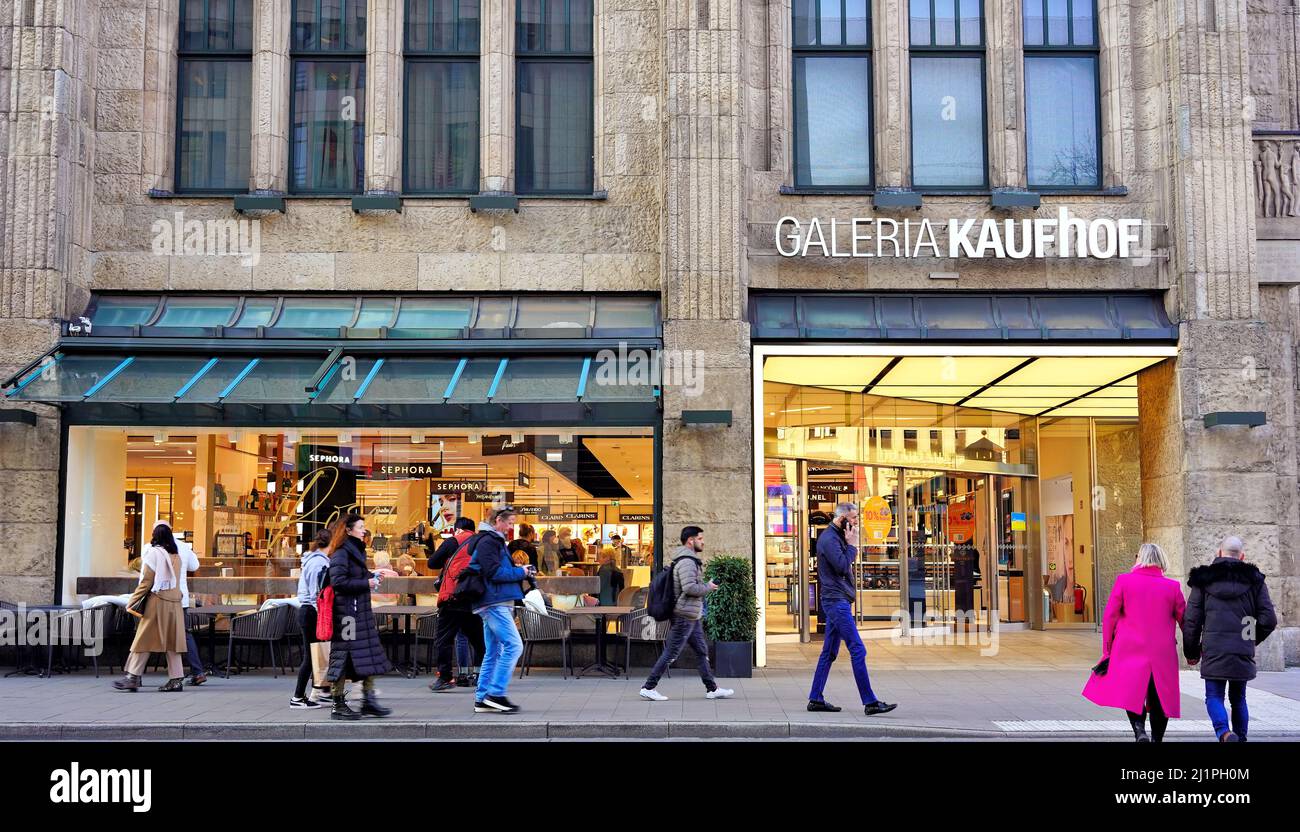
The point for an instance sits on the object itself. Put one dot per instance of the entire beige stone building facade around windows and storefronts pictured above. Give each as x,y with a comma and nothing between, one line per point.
694,167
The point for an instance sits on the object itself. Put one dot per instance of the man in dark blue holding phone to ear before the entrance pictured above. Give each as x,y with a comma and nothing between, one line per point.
835,560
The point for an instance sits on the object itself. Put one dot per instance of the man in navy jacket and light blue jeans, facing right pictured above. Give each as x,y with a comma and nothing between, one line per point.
502,645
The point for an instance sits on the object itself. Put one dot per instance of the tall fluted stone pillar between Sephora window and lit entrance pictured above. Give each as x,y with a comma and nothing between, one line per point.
708,473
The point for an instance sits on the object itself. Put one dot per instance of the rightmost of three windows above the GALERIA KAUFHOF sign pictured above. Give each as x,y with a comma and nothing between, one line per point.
1061,103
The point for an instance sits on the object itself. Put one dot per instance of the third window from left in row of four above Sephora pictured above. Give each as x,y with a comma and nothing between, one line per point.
441,97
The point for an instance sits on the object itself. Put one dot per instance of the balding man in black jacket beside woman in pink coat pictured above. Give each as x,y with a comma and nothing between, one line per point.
1229,613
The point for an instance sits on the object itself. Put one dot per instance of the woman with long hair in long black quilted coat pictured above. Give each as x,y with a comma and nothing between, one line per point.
356,651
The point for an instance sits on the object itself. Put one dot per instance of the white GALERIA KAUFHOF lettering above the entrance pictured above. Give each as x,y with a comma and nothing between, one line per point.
1013,240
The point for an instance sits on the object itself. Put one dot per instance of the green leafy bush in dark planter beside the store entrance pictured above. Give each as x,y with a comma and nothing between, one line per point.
731,616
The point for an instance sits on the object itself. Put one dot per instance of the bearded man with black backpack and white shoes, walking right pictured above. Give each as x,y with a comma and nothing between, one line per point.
679,597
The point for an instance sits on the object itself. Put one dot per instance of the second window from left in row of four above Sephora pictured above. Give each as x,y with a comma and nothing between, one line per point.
328,125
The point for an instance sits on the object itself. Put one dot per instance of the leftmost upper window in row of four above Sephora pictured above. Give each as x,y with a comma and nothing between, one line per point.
215,97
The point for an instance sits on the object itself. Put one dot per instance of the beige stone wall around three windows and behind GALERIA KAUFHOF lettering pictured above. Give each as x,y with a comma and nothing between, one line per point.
1129,162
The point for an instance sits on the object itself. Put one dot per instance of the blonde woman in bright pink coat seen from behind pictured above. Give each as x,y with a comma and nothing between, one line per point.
1138,638
